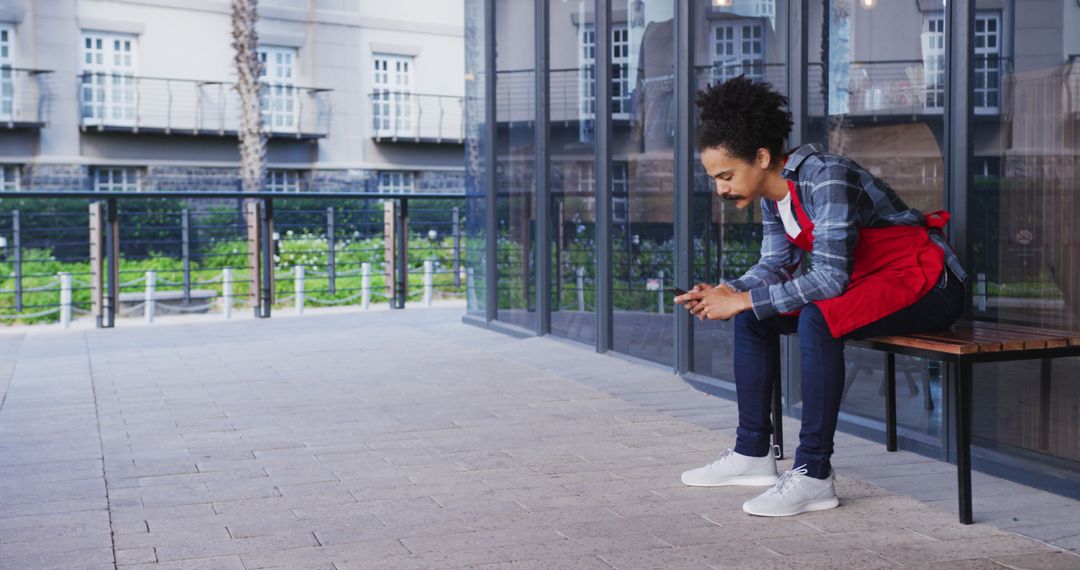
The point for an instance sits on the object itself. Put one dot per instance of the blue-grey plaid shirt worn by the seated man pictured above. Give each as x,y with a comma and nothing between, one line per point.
840,197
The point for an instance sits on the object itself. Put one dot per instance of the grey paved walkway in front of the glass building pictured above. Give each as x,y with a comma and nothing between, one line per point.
410,441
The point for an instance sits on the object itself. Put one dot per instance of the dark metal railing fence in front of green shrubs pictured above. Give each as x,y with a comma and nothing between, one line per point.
153,256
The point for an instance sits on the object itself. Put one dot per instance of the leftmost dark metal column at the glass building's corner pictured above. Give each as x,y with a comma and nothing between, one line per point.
491,132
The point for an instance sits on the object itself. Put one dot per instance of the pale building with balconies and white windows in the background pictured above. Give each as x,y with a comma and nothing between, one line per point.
139,96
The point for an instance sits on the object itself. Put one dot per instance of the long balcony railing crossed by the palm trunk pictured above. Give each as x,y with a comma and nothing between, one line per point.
120,103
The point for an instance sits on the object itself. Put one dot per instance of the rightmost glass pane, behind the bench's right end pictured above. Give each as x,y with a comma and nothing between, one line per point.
1025,262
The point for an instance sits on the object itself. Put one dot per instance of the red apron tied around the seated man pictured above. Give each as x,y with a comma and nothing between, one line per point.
895,267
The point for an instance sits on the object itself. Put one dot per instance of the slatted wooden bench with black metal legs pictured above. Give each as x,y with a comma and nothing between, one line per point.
966,345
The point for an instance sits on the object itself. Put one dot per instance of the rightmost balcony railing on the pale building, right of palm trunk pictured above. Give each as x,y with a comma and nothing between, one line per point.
417,118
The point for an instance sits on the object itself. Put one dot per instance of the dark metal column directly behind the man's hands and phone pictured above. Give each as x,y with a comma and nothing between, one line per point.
685,91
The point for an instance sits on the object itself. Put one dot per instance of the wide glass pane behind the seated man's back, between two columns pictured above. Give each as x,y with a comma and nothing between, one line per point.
877,99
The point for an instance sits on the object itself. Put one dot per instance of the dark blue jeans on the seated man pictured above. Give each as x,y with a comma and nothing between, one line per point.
758,362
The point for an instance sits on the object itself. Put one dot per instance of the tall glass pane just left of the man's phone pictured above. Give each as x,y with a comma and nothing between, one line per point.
643,159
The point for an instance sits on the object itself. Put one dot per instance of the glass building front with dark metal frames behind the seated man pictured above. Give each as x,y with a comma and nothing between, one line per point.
588,199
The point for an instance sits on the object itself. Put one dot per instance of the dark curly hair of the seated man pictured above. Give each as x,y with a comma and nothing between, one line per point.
742,116
